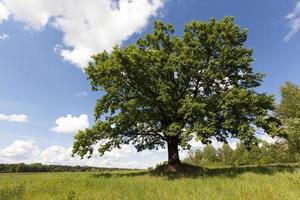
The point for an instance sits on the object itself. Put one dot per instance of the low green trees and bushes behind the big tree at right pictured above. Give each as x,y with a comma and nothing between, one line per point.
264,153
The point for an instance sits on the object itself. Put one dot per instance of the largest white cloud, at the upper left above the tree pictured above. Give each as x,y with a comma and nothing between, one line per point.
88,26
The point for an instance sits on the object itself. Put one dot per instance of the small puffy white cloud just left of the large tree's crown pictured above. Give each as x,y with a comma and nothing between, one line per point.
70,124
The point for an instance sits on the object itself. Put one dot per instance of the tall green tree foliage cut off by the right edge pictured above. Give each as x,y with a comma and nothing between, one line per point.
289,112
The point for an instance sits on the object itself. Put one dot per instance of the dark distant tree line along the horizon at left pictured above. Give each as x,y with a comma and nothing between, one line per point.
38,167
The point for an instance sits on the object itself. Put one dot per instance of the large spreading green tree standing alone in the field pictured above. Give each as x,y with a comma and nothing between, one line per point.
165,91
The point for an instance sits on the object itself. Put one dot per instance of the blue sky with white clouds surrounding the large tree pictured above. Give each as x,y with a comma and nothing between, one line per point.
44,45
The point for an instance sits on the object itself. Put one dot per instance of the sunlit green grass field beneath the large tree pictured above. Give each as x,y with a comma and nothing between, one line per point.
272,182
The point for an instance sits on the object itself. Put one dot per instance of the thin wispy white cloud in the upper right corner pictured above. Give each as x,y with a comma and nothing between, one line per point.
293,22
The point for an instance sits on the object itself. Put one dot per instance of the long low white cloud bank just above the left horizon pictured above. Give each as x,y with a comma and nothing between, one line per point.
27,152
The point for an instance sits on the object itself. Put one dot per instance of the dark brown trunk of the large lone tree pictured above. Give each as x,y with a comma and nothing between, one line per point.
173,154
